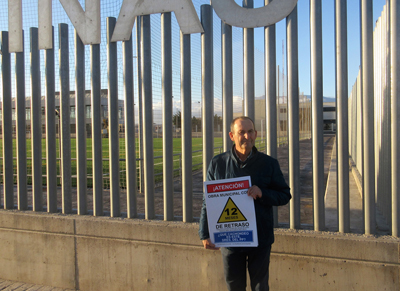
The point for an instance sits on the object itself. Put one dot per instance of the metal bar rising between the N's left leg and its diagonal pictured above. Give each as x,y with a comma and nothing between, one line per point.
65,119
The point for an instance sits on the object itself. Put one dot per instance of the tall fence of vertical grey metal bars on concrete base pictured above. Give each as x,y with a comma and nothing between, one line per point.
366,149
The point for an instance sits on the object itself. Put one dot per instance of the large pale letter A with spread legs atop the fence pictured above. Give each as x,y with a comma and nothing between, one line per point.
184,12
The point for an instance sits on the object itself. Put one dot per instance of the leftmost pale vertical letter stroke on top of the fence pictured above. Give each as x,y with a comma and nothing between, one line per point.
15,26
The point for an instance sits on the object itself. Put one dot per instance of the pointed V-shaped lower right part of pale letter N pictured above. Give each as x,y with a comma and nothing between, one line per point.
87,24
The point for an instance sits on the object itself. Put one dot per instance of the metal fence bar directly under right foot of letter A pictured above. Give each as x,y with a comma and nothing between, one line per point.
186,101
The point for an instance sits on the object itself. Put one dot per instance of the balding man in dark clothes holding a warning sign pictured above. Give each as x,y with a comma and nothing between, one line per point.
269,189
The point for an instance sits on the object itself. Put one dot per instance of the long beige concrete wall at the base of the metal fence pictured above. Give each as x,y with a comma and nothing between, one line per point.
99,253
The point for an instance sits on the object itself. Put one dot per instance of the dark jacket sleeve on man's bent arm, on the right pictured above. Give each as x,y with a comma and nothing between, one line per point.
279,192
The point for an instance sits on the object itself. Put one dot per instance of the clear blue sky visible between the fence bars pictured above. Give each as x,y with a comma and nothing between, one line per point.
304,44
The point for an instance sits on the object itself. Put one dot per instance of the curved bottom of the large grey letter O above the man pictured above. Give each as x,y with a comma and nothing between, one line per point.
233,14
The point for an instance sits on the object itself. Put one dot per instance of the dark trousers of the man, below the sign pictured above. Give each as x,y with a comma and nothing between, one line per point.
257,262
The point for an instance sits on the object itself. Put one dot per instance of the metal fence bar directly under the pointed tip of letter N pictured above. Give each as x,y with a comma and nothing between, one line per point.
97,154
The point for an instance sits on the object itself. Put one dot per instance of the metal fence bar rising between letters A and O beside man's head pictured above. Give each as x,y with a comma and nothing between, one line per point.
207,85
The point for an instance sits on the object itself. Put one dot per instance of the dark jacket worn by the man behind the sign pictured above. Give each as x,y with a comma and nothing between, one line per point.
266,174
